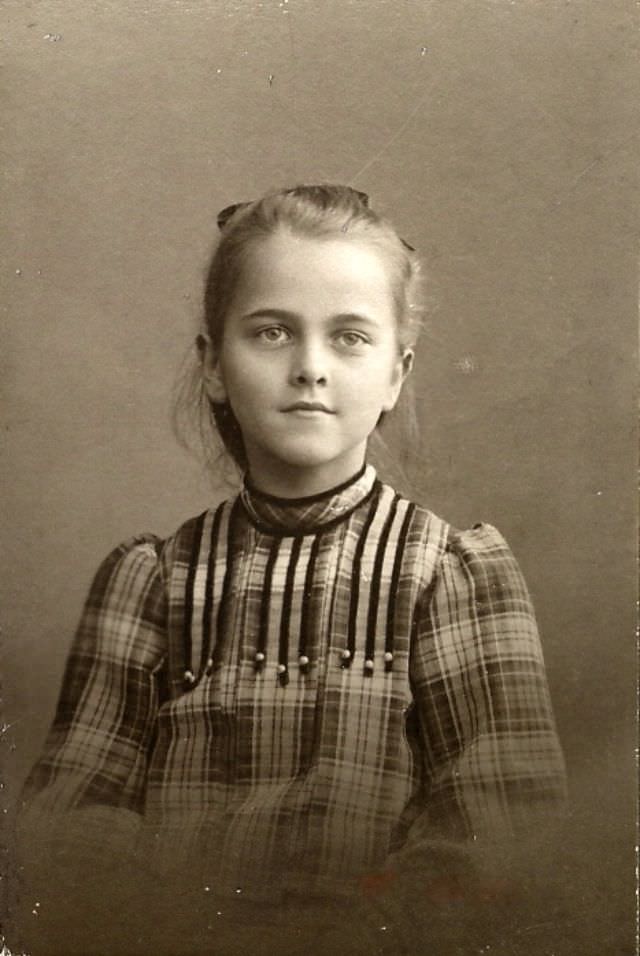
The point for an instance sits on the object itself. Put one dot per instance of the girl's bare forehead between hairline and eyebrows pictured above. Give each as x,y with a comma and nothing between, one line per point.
327,271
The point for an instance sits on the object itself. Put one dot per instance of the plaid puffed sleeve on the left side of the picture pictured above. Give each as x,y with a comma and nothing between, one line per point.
84,797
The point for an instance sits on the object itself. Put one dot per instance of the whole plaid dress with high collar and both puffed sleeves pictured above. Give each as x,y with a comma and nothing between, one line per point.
290,694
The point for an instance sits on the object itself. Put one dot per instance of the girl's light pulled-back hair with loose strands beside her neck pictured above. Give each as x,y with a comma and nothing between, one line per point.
318,212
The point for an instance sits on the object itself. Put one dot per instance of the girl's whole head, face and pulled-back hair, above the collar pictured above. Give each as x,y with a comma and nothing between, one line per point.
310,297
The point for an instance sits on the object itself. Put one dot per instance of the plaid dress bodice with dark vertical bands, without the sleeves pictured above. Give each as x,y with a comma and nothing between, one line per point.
271,771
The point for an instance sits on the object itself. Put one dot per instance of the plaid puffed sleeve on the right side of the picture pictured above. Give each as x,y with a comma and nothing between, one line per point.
493,767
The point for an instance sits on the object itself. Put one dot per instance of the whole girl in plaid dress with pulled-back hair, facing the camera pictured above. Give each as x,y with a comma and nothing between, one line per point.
317,691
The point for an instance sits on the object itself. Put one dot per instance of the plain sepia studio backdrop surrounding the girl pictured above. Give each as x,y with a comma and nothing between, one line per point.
499,135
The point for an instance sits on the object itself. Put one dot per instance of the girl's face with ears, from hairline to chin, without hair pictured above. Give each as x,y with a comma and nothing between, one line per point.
309,359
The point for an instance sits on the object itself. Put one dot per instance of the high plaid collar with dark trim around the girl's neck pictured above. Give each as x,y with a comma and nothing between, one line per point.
305,515
